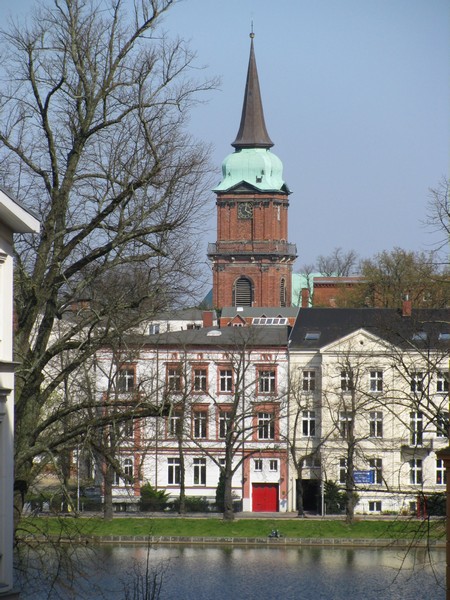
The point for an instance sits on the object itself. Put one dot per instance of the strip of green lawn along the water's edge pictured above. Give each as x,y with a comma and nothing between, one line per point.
240,528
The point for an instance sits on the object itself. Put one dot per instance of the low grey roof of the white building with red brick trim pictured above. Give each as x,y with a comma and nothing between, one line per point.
213,337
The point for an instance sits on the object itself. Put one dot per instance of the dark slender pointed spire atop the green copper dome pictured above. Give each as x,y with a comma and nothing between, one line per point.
252,130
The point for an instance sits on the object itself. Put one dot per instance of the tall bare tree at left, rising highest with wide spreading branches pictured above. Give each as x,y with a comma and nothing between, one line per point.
92,116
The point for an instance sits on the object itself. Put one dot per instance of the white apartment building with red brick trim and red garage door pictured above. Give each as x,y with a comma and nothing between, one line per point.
207,382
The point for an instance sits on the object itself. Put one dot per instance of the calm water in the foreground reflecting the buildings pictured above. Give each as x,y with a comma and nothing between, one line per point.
222,573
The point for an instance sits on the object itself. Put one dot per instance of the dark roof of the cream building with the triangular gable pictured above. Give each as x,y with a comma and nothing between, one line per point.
318,327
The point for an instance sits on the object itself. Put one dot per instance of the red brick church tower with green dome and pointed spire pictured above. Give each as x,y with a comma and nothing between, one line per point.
252,260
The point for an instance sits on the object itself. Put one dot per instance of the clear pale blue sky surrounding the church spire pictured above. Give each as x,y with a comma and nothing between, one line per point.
356,101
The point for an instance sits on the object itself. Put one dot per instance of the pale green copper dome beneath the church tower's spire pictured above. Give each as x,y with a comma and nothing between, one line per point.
258,167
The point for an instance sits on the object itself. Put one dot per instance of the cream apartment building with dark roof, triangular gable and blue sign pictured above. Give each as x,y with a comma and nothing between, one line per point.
369,392
